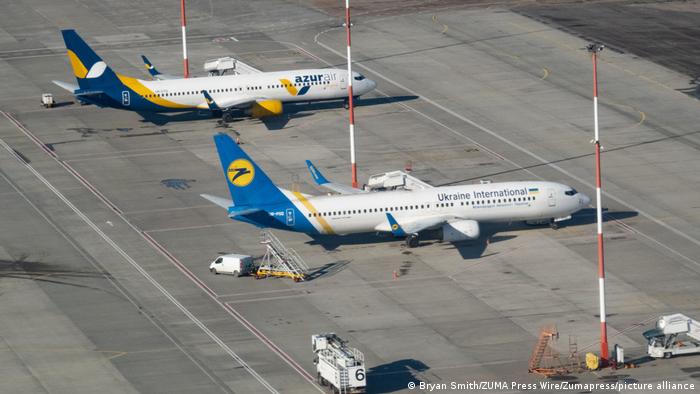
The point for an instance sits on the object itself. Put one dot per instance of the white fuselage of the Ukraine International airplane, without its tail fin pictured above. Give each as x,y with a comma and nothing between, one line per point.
367,212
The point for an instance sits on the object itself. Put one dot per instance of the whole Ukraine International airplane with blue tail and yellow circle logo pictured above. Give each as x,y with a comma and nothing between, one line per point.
457,210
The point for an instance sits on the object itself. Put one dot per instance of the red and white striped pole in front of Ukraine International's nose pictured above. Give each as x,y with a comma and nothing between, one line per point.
594,49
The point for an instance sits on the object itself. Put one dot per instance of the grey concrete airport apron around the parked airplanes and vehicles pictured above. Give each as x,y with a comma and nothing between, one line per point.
105,240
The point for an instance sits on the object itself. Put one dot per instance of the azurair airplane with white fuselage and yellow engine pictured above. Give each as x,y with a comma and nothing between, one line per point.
258,94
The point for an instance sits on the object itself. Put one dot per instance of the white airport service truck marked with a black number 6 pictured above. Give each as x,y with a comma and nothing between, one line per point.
338,366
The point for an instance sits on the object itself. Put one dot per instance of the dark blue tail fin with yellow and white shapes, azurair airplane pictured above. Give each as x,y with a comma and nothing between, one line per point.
89,69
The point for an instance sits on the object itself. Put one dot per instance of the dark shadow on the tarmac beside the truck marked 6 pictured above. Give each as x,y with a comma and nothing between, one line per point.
394,376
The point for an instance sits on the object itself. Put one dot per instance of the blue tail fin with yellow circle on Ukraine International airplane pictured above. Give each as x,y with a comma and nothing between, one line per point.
248,184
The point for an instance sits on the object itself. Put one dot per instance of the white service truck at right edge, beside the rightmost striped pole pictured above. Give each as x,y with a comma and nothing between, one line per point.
674,335
